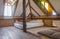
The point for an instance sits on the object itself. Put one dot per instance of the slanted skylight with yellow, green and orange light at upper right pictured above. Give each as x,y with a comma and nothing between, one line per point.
45,6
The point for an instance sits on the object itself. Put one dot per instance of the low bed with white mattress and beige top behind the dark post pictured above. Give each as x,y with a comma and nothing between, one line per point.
30,24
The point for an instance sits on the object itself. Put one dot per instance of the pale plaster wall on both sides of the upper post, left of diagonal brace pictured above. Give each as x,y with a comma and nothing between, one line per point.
19,9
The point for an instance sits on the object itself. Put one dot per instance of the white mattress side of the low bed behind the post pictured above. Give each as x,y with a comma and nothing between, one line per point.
29,25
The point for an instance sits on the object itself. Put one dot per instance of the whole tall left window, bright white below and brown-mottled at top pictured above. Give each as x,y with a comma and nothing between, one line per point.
8,10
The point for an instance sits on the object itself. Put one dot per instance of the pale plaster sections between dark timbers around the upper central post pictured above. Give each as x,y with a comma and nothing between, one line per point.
19,9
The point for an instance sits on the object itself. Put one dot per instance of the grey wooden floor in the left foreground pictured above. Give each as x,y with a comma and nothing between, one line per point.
14,33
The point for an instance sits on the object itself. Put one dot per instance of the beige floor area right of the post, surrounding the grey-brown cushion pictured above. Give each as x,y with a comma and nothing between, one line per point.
35,30
